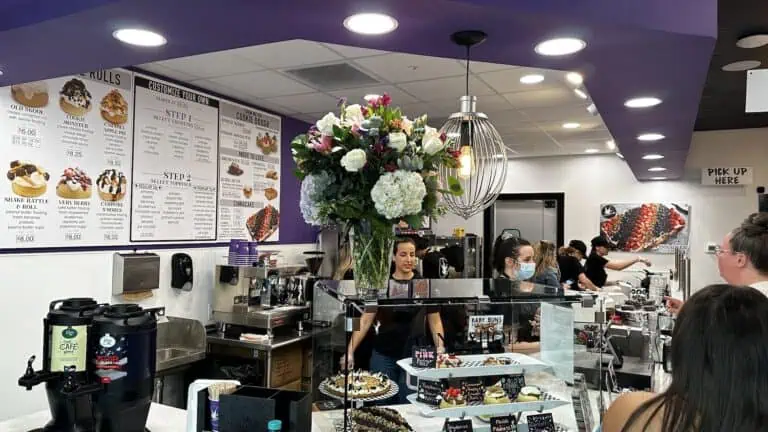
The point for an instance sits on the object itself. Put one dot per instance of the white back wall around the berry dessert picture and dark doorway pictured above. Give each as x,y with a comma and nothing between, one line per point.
589,181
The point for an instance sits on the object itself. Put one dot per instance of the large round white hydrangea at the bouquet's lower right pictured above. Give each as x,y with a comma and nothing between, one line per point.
398,194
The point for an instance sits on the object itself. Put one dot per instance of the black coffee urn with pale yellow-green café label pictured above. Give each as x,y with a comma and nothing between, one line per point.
66,370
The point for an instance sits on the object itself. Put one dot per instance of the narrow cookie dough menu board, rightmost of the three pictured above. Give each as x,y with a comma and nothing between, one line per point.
249,174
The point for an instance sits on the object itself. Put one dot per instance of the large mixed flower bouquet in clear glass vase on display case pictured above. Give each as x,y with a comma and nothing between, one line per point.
368,169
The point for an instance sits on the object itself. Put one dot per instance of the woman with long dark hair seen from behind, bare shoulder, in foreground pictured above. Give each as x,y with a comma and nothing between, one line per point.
719,374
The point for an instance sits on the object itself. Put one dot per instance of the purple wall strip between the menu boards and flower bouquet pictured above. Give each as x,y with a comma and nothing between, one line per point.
292,226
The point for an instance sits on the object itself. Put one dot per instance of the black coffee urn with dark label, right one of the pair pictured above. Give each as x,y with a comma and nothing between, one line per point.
124,353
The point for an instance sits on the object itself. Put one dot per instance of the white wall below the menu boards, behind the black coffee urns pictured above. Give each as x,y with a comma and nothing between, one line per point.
30,282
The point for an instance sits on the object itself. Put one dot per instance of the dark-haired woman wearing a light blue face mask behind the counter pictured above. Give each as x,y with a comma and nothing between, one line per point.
513,260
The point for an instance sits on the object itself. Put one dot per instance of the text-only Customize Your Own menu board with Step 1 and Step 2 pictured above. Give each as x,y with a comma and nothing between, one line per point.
175,159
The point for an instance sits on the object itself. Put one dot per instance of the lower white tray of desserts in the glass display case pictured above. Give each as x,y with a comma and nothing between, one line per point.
473,410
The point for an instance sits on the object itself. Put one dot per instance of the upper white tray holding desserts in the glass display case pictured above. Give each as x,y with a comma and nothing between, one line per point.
472,366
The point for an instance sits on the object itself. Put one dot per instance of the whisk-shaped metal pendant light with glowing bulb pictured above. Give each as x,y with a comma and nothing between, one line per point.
483,156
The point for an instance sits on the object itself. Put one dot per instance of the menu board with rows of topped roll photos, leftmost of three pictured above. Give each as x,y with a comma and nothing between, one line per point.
66,146
